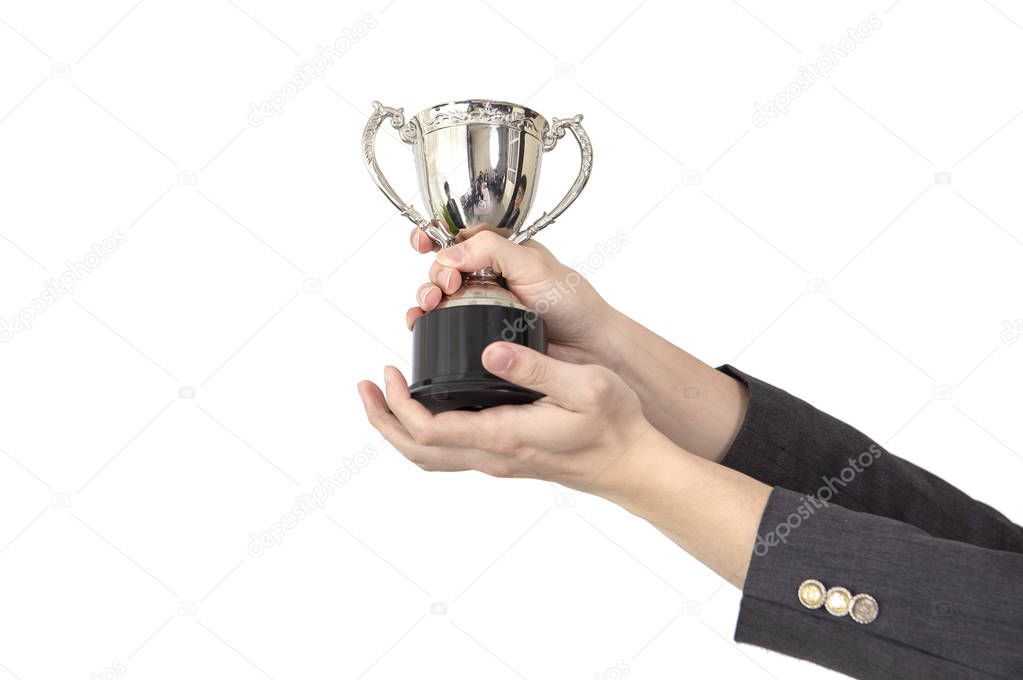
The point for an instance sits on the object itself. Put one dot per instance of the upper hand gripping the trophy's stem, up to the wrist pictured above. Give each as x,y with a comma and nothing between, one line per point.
577,318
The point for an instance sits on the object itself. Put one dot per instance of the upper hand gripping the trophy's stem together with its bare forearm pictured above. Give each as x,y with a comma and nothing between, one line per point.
583,329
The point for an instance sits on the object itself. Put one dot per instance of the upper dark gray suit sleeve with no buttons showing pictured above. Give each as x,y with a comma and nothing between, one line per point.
786,442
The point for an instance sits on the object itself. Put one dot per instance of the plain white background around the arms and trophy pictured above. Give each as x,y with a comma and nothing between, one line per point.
817,252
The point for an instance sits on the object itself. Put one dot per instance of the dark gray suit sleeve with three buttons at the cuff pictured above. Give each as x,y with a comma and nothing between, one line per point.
946,609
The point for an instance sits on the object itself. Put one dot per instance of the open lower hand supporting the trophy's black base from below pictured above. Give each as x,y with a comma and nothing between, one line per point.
588,433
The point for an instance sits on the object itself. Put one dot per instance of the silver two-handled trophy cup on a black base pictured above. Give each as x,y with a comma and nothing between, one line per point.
478,163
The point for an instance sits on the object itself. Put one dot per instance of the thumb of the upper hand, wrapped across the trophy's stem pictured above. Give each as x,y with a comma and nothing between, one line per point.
490,250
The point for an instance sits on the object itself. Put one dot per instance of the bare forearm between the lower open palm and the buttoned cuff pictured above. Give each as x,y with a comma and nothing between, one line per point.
710,512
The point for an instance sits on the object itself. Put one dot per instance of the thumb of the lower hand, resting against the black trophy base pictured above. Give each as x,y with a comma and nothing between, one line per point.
529,369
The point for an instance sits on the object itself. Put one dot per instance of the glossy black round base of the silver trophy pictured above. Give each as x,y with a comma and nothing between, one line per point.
448,348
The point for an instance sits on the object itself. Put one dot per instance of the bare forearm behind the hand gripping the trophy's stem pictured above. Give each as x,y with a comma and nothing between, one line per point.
696,406
